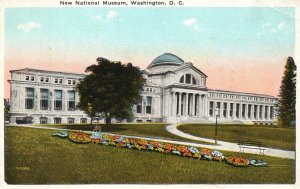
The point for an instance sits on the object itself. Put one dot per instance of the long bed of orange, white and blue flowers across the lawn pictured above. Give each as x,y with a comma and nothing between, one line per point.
167,148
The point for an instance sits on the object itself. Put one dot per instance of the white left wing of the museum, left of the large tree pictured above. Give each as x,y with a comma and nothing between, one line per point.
46,96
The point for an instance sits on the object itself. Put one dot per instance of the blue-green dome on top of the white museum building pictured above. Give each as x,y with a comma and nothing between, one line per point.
166,59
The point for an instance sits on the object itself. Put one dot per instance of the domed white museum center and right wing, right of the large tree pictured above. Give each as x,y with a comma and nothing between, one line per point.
176,92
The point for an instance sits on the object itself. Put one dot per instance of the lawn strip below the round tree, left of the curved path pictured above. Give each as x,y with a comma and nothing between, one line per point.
153,130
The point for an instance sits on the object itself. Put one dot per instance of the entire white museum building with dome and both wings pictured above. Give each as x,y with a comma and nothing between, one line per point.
175,92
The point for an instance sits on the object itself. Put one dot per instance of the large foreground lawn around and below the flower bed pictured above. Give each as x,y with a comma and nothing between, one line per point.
33,156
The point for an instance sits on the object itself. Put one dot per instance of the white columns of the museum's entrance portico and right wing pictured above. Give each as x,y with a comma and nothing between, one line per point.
198,105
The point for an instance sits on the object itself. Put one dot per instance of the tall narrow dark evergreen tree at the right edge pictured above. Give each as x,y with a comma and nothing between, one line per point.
287,95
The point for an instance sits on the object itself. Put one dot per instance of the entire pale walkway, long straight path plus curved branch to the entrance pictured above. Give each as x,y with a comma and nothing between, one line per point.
227,146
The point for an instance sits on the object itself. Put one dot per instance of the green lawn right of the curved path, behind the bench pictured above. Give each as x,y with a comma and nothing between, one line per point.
275,137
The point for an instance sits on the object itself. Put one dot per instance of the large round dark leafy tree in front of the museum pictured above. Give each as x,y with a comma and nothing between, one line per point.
111,89
